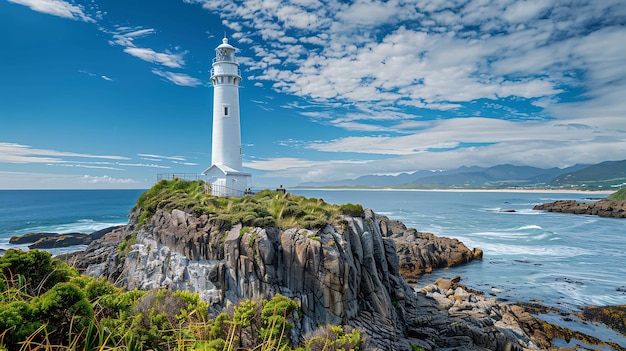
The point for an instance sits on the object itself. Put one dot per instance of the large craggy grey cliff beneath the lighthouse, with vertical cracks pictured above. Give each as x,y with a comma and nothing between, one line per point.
347,273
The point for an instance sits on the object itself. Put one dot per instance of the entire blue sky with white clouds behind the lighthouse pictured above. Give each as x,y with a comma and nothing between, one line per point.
106,94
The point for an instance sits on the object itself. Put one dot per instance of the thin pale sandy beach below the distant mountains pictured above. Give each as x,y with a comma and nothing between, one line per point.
546,191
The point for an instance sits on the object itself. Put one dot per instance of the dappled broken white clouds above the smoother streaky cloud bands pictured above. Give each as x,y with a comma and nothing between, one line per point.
437,57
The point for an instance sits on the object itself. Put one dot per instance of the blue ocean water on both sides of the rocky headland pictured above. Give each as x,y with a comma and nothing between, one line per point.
565,261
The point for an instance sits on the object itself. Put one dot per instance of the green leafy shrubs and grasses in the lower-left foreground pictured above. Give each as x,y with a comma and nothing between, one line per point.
46,304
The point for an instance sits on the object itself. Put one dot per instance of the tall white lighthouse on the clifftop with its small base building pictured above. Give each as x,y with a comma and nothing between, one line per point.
226,172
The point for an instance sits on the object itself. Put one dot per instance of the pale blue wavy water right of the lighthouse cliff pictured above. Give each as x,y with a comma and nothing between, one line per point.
560,259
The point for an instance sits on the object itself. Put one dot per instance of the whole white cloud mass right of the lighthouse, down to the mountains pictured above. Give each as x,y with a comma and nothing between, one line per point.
440,84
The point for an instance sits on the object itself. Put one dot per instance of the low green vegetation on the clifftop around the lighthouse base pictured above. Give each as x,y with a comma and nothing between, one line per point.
263,209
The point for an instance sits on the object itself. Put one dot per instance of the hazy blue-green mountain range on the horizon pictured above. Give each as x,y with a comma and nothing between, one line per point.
607,175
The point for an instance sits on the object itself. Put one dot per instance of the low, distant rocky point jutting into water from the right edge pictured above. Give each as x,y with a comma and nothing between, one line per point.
602,208
